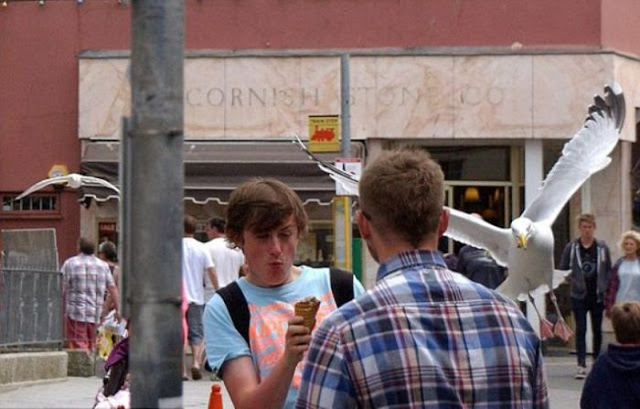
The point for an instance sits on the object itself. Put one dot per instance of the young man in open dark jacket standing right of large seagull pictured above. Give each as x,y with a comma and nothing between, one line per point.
589,260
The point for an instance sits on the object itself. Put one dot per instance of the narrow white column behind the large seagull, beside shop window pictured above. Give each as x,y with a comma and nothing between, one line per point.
533,177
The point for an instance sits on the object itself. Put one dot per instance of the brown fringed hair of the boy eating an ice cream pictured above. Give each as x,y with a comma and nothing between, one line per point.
262,205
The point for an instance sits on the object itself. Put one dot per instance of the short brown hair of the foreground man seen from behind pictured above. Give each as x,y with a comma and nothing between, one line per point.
402,191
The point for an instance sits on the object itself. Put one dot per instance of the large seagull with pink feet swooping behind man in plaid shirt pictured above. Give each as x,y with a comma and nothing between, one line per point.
526,247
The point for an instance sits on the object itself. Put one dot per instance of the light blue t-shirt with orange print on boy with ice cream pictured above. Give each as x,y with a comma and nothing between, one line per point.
269,310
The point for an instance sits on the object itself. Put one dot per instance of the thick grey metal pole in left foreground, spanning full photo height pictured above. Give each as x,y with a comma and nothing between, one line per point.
155,202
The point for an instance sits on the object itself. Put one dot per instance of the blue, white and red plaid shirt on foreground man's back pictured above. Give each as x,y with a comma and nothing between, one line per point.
424,337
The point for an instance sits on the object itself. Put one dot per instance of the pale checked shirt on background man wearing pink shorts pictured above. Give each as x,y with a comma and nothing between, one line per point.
85,281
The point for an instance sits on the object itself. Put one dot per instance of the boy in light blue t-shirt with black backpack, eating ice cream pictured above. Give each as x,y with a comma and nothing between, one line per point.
259,360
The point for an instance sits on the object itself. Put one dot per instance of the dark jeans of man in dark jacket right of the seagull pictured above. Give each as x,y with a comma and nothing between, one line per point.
580,309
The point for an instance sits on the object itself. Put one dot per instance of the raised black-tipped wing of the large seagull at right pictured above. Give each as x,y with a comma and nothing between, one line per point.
585,154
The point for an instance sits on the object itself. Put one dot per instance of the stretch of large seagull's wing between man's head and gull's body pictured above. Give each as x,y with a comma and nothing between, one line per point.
476,232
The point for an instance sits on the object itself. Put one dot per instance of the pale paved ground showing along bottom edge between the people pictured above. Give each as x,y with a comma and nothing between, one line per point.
74,392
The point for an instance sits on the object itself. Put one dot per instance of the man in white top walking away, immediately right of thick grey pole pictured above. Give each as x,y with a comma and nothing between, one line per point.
196,264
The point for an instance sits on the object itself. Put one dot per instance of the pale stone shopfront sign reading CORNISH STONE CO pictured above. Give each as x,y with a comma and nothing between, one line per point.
415,97
